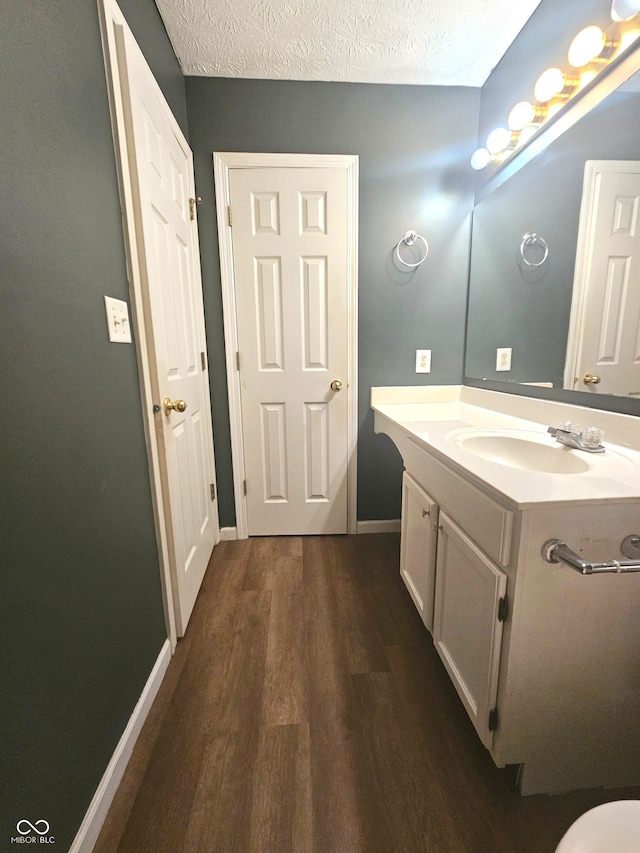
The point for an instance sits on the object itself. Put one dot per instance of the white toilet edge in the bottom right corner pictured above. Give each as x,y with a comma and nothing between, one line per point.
609,828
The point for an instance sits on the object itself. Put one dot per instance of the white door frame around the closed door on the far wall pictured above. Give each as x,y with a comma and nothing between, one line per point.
222,163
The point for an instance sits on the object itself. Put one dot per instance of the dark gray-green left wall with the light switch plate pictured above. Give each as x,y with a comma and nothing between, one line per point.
82,620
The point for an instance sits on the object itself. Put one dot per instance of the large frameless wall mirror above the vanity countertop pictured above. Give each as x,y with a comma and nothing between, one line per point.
554,291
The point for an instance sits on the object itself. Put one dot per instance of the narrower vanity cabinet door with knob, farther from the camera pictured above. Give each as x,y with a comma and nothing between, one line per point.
418,546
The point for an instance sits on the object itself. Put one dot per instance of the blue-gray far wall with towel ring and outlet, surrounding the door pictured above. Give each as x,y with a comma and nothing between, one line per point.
414,145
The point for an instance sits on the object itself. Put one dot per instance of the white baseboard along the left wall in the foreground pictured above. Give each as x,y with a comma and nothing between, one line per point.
103,797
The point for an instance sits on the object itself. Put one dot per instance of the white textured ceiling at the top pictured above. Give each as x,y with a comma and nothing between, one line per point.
432,42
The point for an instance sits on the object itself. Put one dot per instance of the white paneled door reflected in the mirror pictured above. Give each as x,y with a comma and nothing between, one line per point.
605,338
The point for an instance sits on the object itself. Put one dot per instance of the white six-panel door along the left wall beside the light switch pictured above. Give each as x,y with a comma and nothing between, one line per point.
167,244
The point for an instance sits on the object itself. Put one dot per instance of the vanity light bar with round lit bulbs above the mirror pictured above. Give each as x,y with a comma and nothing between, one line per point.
591,49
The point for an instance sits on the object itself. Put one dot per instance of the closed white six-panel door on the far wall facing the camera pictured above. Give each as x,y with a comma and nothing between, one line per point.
290,264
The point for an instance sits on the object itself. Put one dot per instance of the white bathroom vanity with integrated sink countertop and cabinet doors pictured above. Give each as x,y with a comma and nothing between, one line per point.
545,659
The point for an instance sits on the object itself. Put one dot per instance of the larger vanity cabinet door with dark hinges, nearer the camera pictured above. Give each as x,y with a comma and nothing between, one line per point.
467,632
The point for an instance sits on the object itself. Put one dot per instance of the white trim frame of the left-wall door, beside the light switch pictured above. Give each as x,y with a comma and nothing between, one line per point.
112,23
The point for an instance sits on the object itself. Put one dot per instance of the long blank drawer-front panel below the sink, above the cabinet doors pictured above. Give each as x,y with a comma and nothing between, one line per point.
487,522
